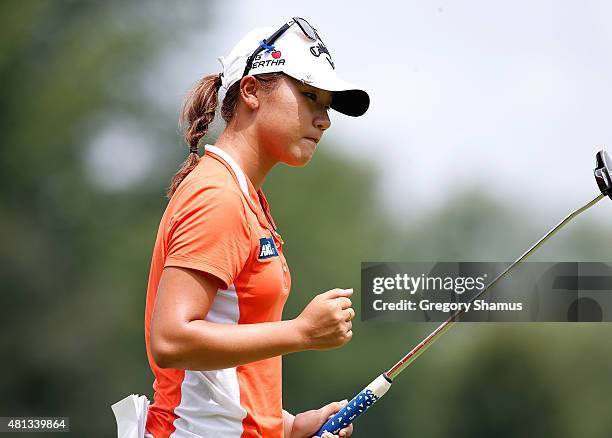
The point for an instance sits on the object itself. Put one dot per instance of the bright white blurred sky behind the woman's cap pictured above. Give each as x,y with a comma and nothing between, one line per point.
512,96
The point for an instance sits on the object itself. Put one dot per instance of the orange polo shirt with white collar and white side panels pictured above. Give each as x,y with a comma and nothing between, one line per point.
217,223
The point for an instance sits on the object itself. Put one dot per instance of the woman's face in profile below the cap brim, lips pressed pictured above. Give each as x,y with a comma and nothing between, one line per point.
291,120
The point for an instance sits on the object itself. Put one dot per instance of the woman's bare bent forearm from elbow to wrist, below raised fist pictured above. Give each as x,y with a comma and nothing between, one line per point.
203,345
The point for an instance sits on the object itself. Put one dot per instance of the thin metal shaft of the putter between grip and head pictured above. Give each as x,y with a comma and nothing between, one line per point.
443,328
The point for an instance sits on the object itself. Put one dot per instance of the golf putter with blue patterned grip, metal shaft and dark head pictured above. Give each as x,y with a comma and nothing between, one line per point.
379,386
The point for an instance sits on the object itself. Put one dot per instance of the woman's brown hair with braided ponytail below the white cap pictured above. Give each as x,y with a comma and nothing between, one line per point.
199,111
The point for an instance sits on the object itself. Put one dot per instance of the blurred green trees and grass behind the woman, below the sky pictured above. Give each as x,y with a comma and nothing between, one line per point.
75,252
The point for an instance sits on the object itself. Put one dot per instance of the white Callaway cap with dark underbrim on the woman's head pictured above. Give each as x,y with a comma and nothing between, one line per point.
299,57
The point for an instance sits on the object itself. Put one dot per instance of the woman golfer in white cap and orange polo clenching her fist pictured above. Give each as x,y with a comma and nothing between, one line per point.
218,278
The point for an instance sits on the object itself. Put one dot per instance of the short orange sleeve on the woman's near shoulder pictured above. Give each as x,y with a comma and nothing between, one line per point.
209,232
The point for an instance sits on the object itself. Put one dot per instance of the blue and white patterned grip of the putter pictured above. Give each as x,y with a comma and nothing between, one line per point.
357,406
